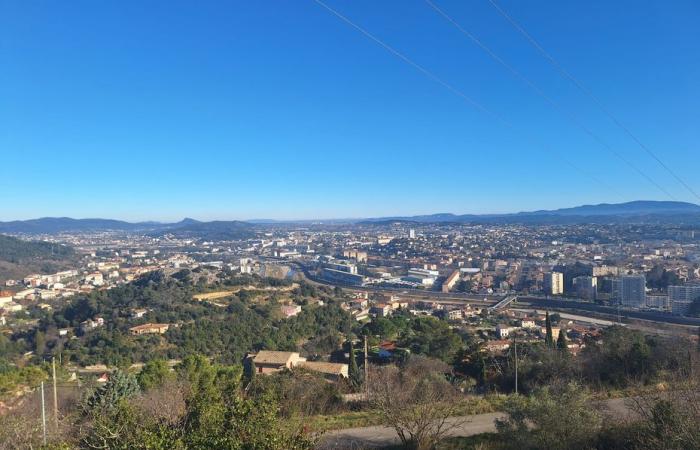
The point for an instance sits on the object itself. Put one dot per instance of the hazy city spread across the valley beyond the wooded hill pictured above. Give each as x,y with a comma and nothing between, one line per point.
626,264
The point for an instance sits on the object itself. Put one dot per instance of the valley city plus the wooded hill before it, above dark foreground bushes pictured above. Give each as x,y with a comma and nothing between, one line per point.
383,288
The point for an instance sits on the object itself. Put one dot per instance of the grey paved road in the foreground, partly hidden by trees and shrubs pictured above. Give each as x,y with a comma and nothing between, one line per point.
381,436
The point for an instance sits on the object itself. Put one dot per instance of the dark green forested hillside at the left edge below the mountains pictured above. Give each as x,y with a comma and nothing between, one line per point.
19,258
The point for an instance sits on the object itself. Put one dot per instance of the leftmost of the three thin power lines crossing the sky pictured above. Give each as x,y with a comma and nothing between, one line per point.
451,88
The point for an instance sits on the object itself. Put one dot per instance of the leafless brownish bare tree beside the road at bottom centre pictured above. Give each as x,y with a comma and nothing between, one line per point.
416,400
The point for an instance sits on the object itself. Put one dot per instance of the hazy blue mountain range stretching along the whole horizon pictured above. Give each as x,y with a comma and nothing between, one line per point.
630,212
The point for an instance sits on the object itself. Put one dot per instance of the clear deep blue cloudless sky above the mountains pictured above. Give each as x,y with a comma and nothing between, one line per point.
277,109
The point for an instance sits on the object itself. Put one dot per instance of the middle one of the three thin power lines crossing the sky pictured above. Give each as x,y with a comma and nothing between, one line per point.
572,117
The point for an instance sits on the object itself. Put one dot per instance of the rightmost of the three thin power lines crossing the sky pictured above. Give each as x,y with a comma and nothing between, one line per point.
589,94
